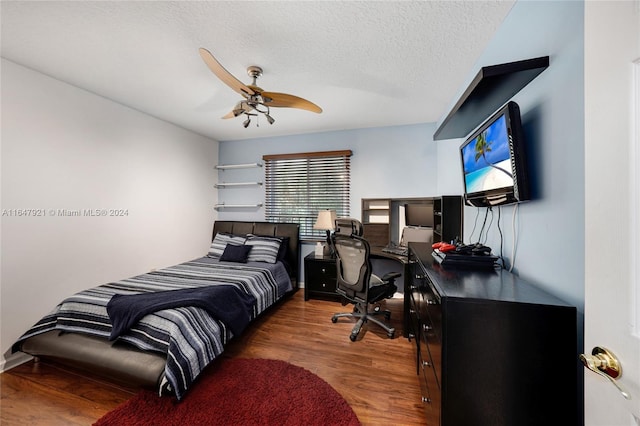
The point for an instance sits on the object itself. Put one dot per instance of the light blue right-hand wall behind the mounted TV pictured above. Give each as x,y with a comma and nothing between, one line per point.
550,228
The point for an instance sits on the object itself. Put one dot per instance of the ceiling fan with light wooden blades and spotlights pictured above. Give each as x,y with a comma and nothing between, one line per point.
255,100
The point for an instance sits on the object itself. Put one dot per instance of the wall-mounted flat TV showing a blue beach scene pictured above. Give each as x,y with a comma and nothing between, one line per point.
493,161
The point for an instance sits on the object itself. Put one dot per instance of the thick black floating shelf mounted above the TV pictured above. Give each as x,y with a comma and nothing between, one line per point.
491,88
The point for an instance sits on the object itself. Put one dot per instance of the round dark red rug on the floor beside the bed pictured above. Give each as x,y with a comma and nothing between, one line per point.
241,392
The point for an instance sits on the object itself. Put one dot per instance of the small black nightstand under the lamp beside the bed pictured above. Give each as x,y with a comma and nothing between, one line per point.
320,277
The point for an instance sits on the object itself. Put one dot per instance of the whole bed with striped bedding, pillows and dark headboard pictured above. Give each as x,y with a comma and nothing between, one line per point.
162,328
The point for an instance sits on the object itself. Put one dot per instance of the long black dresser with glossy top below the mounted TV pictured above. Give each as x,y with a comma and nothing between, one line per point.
491,349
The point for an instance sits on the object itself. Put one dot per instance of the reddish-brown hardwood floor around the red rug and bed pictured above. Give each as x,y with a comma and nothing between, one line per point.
376,375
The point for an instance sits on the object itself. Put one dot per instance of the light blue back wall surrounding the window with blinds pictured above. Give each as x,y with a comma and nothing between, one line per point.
395,162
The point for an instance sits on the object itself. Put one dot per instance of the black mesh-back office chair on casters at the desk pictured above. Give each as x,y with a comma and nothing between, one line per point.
356,282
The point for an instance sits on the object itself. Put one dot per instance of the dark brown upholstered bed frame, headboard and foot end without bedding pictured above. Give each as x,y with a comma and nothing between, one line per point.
123,363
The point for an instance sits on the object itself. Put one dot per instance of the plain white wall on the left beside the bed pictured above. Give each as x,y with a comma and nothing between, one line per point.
65,148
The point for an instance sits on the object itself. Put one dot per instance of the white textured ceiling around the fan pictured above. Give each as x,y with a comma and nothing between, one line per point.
366,63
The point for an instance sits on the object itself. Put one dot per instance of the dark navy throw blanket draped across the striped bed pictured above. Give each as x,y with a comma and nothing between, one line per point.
228,304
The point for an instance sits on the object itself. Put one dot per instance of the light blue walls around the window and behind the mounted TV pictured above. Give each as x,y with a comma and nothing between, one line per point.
404,161
